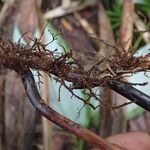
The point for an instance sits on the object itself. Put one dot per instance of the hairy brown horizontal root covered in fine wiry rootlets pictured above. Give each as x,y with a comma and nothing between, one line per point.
63,67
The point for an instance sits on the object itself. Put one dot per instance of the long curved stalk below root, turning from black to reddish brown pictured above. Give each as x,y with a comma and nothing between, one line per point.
50,114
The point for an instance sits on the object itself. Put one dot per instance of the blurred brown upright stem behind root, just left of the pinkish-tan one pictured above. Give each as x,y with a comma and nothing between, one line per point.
106,34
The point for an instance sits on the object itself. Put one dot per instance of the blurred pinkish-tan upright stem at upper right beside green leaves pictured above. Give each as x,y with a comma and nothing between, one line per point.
125,41
